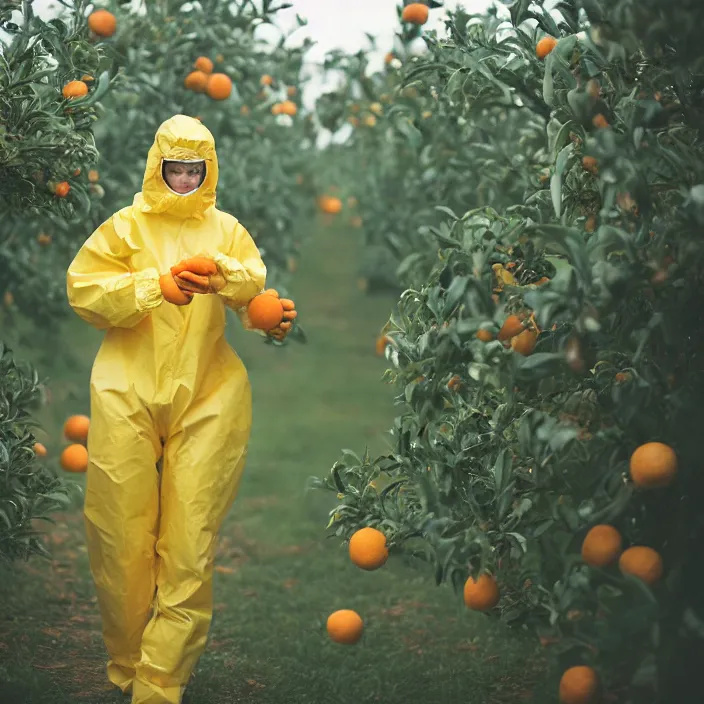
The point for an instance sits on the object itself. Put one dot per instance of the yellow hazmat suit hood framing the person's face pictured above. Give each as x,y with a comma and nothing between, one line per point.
180,138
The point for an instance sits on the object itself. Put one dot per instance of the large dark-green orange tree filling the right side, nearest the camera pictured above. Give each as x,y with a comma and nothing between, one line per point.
545,456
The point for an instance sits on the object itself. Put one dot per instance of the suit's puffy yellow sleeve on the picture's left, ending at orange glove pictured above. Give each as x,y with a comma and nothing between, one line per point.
101,286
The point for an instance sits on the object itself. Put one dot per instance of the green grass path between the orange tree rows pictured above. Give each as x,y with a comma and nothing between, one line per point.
282,575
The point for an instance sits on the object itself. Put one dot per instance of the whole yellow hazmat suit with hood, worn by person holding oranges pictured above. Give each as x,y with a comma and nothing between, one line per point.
165,385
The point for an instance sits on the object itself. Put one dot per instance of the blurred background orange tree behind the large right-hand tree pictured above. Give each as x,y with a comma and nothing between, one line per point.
421,146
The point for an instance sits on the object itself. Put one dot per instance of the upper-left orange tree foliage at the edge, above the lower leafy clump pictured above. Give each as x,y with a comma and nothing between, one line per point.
46,148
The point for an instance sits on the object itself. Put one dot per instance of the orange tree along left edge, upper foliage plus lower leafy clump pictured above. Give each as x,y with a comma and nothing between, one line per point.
46,142
